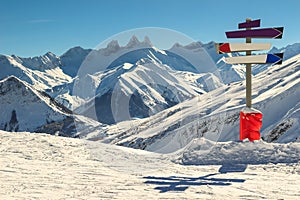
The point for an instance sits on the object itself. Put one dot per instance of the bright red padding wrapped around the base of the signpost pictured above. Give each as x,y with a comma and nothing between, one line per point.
250,124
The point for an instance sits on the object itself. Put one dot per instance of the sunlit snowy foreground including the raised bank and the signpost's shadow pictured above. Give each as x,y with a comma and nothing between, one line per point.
40,166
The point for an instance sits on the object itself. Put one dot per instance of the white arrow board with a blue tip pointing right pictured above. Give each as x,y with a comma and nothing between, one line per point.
256,59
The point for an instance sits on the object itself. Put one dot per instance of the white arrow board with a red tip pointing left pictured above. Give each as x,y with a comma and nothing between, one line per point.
236,47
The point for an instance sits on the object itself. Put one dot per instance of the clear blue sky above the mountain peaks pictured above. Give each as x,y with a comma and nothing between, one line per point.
34,27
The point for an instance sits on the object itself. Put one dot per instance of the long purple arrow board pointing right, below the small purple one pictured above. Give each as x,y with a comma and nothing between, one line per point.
275,33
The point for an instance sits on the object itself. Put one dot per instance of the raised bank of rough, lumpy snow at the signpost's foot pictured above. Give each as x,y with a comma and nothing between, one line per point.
203,152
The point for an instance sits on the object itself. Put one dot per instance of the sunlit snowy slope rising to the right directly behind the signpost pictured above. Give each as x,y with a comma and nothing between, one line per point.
215,115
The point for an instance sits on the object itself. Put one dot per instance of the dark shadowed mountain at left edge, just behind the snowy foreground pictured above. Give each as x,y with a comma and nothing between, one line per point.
26,109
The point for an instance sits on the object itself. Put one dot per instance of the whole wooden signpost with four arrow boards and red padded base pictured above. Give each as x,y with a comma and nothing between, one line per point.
250,119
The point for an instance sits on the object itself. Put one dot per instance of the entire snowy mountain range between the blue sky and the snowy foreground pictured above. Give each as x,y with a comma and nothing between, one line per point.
138,82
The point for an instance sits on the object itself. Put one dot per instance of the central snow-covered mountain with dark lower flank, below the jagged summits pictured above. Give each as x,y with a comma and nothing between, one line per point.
134,90
